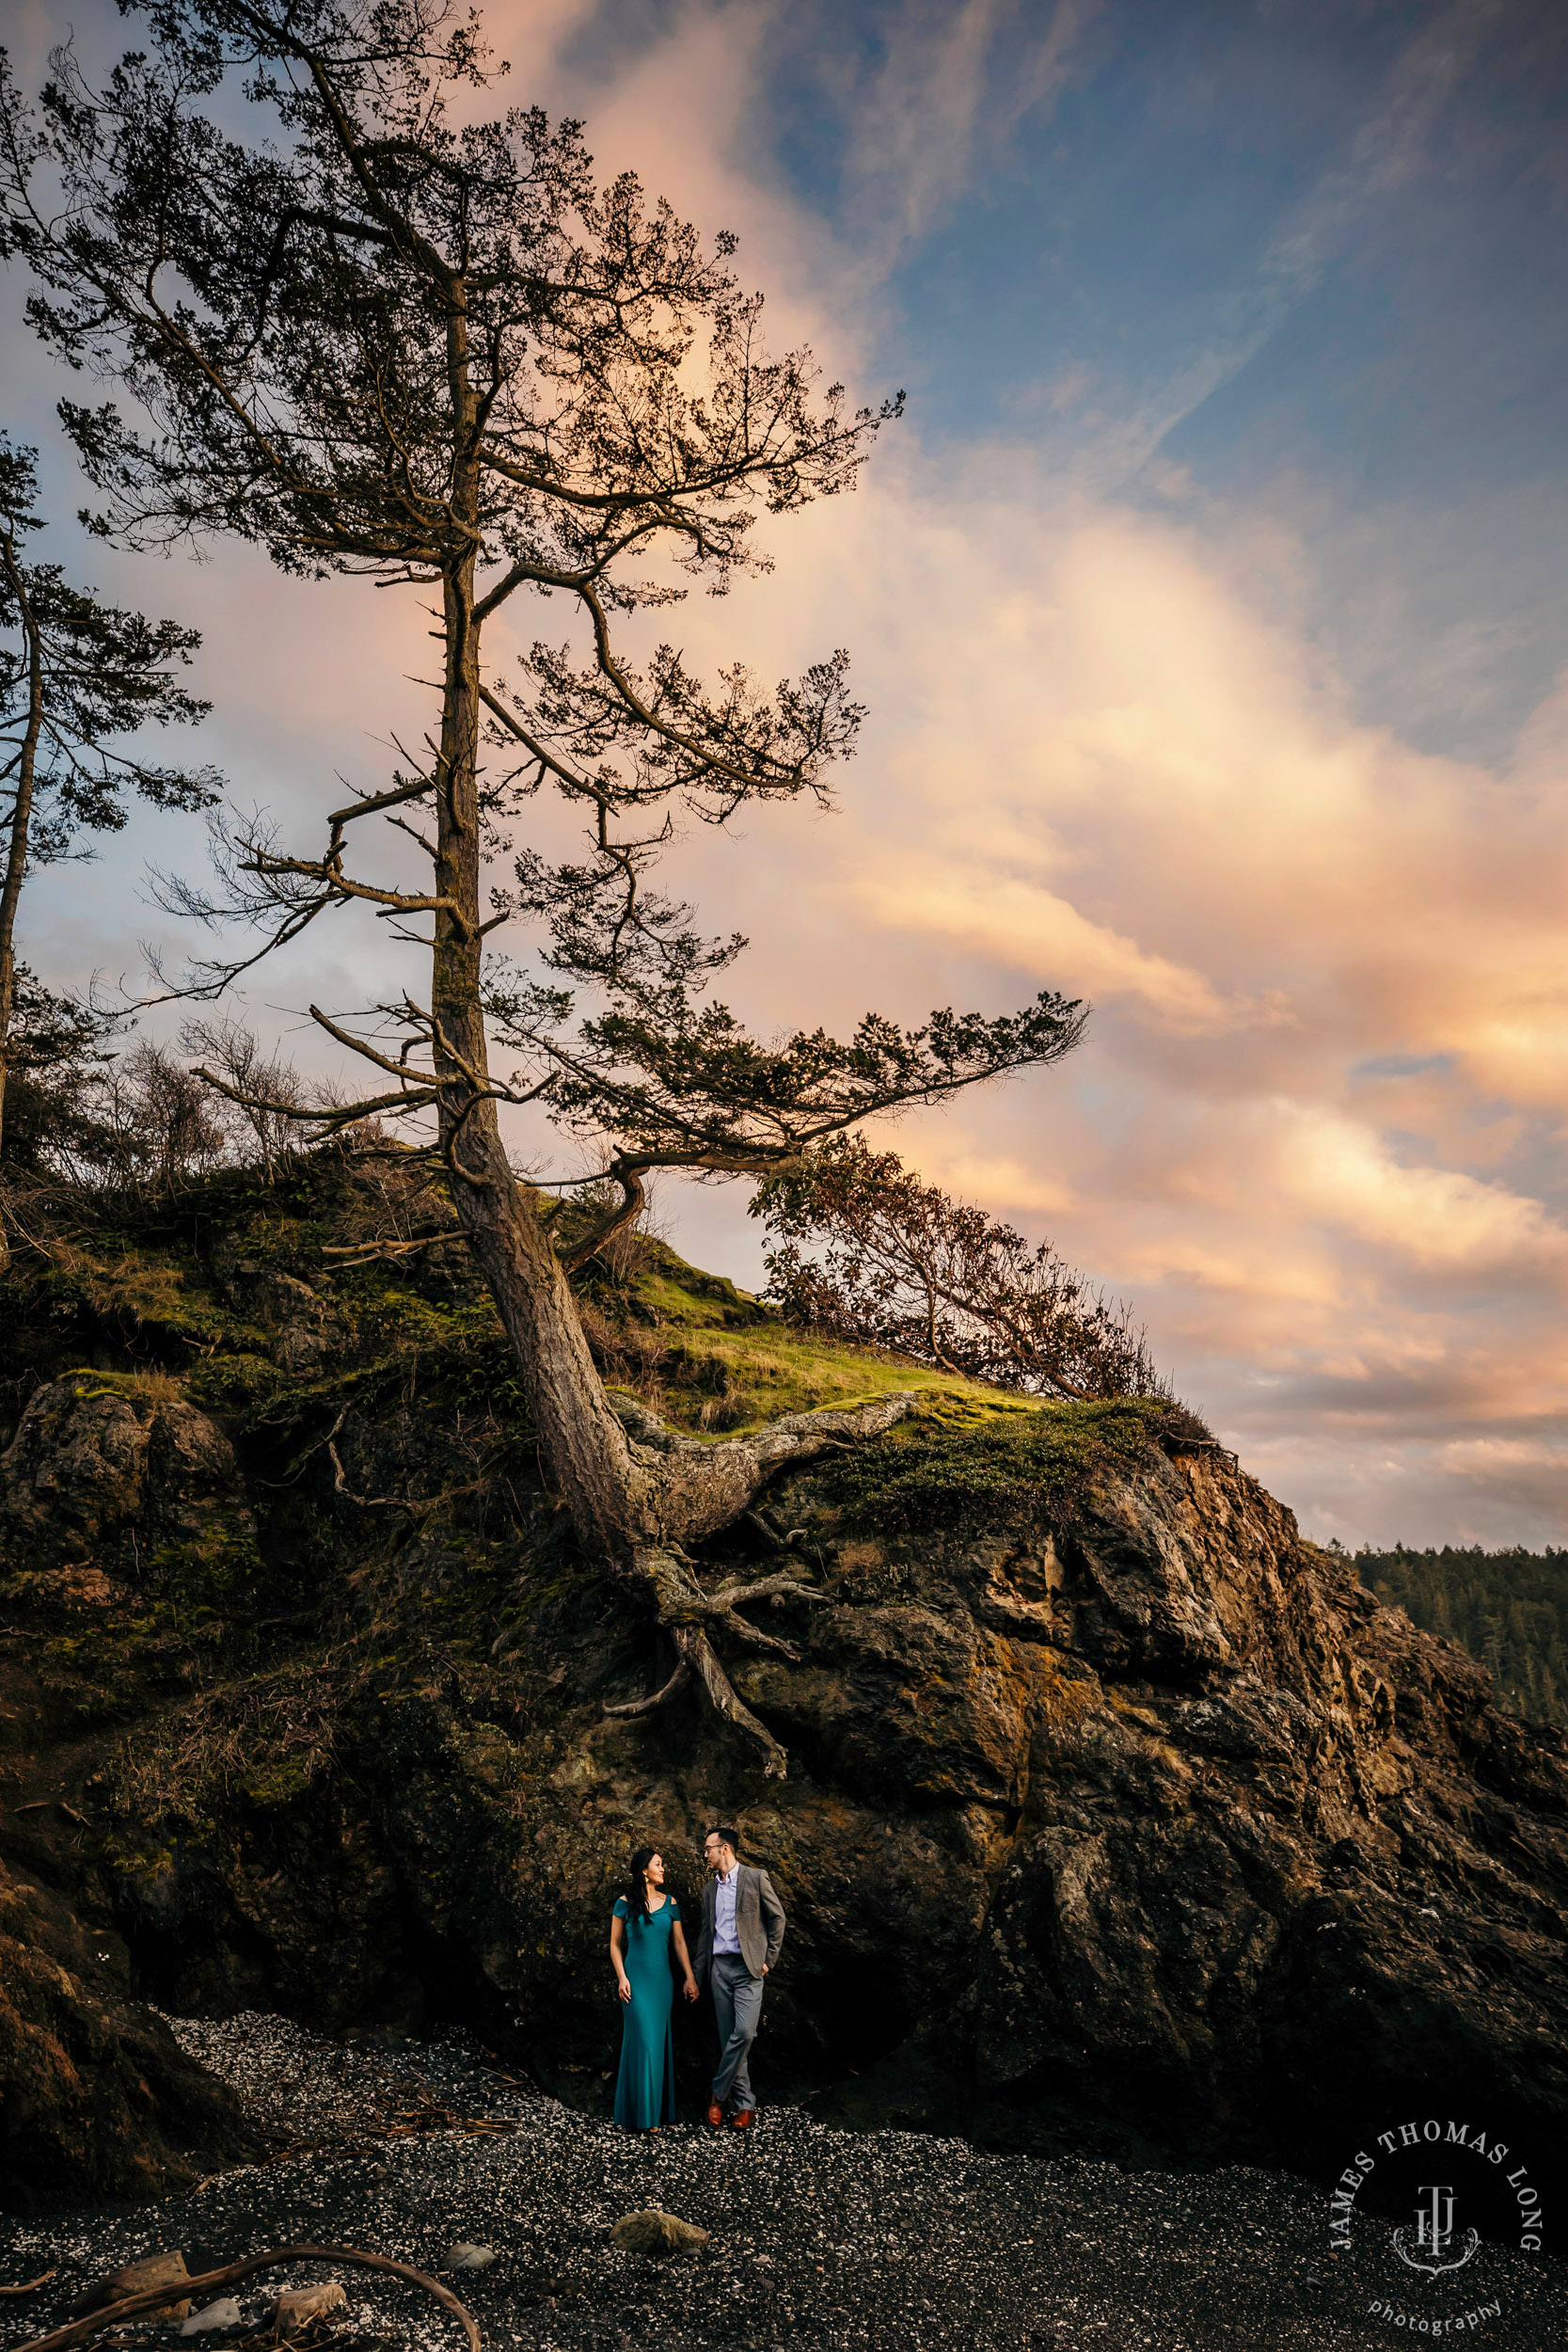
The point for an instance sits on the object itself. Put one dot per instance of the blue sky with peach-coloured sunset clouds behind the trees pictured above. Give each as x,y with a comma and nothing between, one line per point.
1212,610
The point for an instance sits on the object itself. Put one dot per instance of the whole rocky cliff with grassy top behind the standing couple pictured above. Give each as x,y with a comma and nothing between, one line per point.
1118,1815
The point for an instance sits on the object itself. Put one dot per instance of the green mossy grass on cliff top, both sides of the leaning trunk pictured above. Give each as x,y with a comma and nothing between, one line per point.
417,1332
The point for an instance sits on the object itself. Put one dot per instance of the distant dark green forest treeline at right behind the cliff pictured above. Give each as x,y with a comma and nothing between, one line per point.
1508,1610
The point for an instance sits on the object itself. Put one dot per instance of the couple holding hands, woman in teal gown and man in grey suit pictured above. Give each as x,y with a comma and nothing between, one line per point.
735,1951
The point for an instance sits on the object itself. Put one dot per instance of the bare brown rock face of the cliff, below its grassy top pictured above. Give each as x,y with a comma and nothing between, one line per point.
1127,1826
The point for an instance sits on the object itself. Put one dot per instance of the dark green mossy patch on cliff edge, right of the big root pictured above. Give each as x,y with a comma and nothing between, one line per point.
970,1466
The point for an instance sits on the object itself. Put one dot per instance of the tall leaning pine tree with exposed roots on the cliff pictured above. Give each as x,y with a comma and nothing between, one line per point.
445,356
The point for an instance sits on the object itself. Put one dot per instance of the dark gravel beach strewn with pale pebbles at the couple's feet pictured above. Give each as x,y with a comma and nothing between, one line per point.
819,2238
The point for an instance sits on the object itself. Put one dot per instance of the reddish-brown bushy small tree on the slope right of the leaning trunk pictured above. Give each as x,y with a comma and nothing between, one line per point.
869,1252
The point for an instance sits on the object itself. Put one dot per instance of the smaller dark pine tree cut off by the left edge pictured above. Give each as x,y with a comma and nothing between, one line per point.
76,681
